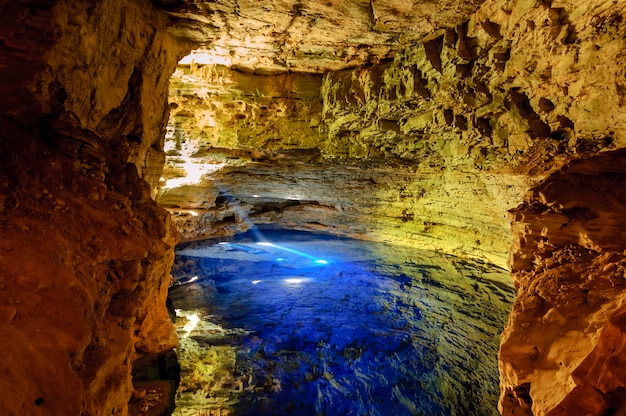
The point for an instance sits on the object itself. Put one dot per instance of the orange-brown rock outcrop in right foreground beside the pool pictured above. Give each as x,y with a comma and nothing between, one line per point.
562,351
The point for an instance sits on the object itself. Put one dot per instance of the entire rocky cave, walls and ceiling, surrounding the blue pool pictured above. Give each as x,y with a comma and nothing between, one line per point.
488,132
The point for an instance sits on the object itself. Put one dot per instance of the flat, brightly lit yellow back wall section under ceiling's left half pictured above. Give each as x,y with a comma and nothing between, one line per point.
215,107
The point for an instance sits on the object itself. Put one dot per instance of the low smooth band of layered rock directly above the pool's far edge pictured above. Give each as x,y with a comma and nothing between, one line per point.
371,200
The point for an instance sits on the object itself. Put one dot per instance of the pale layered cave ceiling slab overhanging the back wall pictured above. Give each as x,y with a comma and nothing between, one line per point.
307,35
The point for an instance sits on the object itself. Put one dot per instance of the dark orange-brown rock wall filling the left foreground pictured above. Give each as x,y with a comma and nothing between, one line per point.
85,252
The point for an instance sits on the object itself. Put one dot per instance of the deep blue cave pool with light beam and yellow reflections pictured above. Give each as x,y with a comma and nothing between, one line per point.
304,324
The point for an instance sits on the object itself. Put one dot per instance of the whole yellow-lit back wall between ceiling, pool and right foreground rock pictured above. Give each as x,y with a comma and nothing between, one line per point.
467,120
